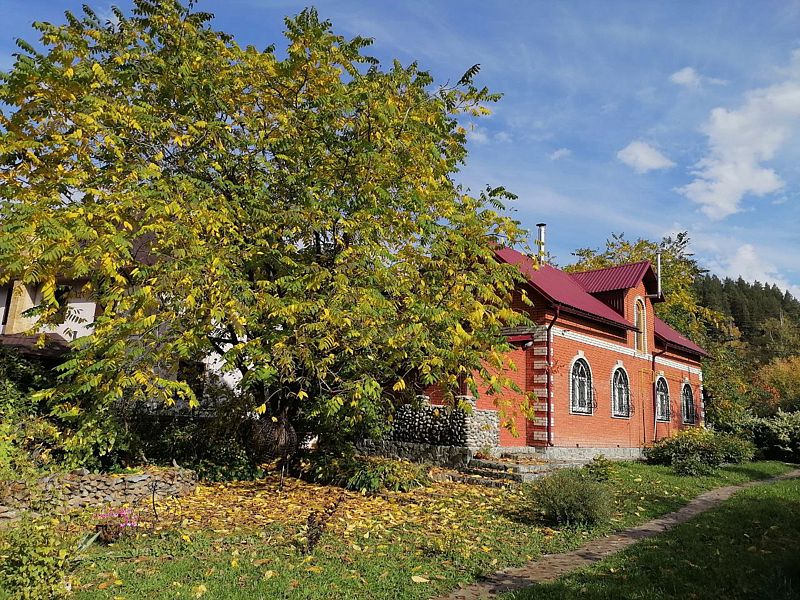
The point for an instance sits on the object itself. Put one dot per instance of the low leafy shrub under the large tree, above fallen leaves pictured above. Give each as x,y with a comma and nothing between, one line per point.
366,474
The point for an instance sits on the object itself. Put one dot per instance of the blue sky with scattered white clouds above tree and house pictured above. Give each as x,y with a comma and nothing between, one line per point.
641,117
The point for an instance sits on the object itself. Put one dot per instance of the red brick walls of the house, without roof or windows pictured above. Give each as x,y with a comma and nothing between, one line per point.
600,429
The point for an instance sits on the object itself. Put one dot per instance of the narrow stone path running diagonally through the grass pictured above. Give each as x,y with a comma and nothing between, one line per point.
553,566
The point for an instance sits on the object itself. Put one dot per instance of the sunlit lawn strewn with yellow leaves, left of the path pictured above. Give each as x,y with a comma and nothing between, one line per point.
241,540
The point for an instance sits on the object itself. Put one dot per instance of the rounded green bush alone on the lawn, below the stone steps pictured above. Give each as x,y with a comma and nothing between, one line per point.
570,496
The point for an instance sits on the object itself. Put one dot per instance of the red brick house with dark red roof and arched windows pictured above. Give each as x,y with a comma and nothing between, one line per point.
608,374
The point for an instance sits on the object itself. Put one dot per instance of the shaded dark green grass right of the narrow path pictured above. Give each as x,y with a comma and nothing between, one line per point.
749,547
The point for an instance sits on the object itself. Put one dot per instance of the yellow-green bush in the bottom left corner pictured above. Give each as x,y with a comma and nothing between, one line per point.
33,560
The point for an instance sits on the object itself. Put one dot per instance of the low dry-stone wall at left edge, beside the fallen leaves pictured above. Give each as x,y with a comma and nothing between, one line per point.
81,488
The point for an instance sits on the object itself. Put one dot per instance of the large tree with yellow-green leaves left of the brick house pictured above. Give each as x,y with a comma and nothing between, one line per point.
294,213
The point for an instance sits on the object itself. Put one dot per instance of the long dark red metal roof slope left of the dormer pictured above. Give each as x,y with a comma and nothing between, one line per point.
558,287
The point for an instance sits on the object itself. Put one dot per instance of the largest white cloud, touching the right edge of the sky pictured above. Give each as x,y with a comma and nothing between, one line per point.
740,140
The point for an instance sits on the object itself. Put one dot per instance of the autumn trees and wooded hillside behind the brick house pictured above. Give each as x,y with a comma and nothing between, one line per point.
750,330
